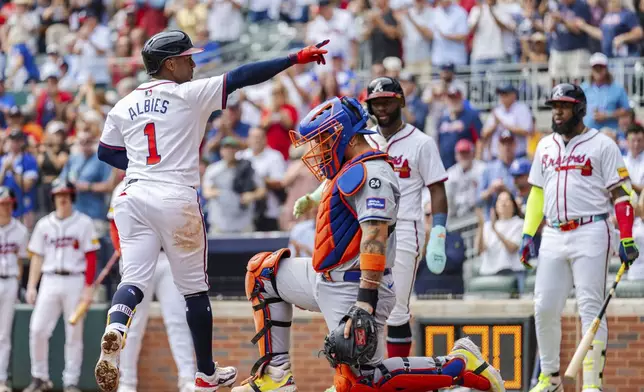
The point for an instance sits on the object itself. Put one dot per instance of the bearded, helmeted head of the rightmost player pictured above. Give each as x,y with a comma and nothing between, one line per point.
565,95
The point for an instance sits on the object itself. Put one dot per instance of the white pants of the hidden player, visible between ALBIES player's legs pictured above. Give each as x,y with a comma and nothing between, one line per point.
174,317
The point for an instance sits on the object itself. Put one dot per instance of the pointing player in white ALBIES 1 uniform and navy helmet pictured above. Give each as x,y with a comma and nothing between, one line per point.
154,133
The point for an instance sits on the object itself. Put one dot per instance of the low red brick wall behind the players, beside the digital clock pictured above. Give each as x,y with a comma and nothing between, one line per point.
157,372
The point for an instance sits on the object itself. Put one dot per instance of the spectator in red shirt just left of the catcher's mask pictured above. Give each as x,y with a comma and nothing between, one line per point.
278,119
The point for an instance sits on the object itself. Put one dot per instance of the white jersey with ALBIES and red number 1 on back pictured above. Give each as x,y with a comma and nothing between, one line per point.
161,125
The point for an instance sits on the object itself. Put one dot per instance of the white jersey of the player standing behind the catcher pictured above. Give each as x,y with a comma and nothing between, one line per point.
416,161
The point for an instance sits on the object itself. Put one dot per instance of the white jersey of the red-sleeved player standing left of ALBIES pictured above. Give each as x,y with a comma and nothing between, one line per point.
63,243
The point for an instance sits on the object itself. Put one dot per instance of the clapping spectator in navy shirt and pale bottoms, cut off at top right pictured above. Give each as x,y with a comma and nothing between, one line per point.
569,43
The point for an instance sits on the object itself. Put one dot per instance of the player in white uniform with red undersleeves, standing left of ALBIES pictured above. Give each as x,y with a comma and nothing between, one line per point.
63,247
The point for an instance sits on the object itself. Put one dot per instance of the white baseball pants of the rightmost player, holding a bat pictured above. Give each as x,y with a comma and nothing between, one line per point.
580,258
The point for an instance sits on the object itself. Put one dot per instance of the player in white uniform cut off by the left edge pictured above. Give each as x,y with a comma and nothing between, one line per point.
14,237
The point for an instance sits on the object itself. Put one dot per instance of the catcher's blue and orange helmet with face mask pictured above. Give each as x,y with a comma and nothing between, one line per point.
328,128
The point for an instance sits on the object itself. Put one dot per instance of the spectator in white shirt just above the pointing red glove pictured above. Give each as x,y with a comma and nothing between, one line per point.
338,26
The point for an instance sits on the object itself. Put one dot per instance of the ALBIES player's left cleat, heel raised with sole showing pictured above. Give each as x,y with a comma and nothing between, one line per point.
107,368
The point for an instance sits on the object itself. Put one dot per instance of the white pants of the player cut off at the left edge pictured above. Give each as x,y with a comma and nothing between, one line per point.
8,297
